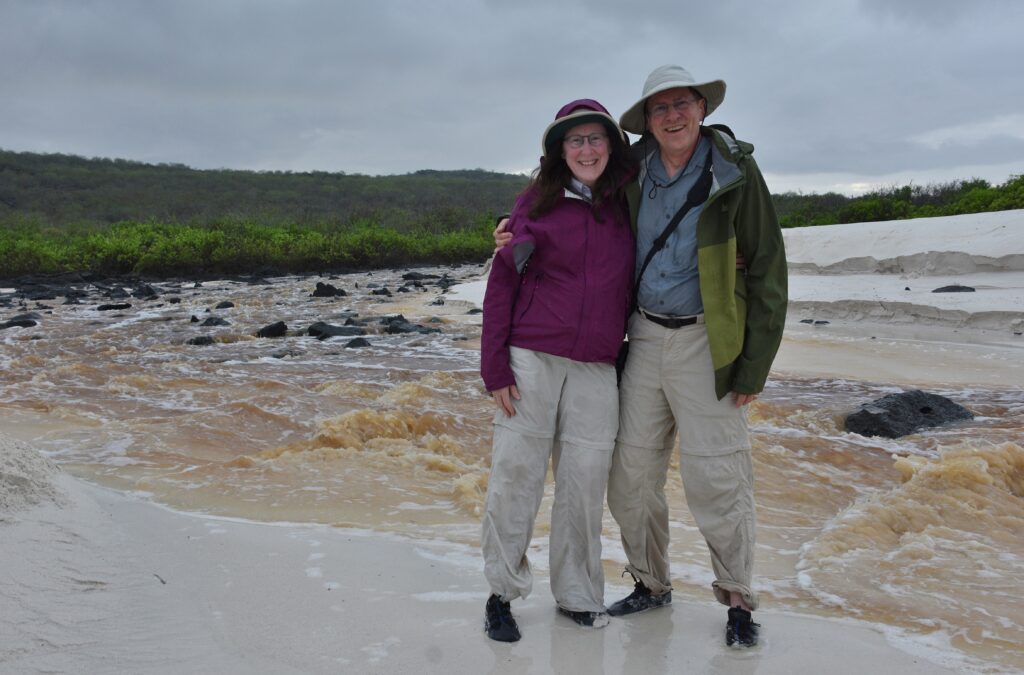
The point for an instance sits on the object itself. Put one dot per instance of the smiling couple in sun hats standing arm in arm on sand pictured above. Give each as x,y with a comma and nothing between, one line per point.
610,239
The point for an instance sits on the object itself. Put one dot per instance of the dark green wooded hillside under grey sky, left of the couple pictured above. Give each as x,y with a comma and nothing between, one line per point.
64,190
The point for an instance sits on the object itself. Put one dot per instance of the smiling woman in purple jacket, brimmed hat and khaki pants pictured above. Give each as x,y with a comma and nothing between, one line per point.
554,319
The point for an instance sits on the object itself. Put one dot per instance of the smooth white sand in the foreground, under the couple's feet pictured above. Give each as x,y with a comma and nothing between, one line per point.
113,584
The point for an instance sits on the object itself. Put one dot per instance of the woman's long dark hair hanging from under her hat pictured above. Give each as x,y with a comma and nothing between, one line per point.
554,176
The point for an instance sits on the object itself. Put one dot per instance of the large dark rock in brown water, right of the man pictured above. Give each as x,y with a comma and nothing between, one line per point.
901,414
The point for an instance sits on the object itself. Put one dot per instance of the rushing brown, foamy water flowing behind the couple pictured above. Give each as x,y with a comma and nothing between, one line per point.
923,535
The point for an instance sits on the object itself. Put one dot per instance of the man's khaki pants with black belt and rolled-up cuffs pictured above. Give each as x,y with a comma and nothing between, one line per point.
669,388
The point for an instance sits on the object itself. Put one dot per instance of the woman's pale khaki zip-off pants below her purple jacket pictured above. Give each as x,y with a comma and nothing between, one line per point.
569,411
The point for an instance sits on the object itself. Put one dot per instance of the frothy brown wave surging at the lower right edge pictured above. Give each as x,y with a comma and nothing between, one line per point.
943,550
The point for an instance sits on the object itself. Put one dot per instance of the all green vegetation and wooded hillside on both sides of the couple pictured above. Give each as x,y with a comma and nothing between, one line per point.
65,214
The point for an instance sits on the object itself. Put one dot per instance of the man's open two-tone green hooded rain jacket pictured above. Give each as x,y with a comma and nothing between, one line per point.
745,311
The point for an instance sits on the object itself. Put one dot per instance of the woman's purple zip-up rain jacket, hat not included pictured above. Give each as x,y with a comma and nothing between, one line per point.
562,286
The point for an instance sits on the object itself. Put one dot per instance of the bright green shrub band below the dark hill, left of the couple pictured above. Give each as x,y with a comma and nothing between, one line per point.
231,247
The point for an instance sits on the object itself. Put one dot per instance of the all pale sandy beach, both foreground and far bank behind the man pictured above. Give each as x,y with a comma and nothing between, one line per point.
97,580
